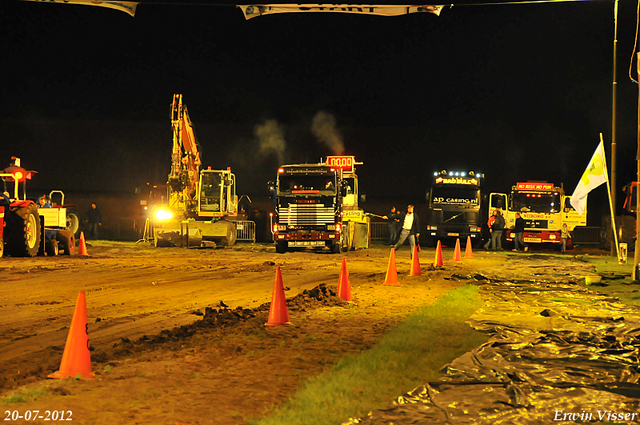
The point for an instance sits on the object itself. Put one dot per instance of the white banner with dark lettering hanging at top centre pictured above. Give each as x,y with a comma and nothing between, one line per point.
251,11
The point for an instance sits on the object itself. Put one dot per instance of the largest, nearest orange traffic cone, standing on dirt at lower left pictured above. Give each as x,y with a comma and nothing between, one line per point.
76,360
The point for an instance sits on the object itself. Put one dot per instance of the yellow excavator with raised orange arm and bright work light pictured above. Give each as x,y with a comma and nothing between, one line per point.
200,203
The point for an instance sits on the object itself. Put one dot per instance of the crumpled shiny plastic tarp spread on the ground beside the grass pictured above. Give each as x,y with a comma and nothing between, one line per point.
558,353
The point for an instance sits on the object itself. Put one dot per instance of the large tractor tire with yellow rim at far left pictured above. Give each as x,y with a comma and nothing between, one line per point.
24,232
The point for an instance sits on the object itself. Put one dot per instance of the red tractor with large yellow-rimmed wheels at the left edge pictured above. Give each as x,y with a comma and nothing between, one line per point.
26,230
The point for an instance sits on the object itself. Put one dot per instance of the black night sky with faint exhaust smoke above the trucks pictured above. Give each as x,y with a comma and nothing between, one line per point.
519,92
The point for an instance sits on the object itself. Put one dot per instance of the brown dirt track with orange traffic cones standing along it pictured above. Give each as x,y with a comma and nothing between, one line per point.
178,335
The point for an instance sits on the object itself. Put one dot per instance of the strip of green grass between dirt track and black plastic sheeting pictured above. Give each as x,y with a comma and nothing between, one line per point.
408,356
